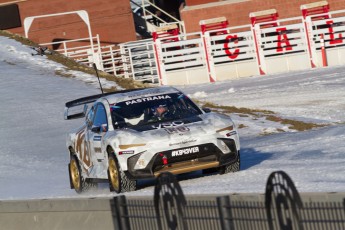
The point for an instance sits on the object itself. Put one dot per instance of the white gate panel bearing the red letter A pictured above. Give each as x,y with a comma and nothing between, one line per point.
282,48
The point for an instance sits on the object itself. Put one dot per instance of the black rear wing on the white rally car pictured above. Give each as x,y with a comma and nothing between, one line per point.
84,101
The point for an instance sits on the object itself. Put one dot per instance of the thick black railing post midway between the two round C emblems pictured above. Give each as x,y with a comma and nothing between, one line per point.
225,215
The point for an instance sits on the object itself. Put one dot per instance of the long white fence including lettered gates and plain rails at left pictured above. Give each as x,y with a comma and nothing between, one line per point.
293,44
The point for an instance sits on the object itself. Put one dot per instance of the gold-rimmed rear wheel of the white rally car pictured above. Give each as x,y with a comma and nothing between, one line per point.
77,181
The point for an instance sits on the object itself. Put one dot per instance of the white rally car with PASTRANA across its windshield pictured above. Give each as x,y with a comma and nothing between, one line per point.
135,134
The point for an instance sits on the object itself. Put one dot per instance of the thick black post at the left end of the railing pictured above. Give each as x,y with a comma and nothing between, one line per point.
121,213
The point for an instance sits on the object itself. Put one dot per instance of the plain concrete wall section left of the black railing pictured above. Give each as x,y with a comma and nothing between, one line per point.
54,214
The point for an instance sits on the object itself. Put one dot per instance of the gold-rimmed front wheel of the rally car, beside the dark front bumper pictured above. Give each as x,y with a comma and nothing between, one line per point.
118,181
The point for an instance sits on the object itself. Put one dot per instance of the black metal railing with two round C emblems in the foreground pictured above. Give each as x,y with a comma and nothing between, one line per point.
281,208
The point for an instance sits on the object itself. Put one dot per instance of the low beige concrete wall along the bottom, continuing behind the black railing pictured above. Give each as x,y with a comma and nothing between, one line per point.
248,210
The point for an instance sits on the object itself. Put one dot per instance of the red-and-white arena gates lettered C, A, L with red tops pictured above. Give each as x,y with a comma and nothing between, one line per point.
268,46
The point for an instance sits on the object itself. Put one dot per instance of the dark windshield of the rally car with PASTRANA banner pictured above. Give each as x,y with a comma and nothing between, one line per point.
152,109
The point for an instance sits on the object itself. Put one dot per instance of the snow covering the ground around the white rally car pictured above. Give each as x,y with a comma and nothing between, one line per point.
34,158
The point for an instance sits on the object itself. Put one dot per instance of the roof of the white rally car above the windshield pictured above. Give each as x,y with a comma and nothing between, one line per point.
139,93
